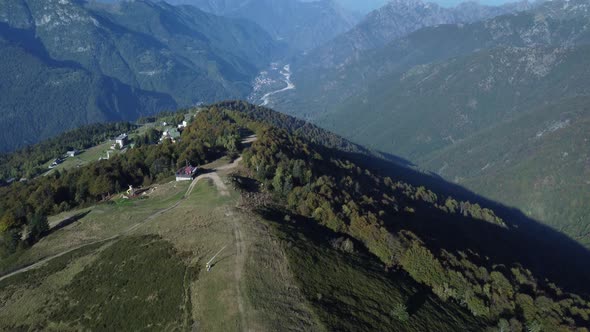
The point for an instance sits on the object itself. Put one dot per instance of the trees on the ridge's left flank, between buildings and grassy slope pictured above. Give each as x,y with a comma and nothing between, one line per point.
210,135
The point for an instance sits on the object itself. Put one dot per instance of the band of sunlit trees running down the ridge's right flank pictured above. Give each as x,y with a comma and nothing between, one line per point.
394,220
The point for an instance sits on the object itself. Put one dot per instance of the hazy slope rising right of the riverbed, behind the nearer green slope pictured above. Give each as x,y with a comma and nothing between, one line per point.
550,24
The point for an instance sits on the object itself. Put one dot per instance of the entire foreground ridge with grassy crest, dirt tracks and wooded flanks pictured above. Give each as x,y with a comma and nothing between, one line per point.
323,235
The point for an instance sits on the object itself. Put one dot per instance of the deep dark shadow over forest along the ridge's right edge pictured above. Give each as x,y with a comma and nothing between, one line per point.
544,251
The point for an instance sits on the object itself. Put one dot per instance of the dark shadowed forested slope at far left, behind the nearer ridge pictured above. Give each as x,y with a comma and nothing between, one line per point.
42,97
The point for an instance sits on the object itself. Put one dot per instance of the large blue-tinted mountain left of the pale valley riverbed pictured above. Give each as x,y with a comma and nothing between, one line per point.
118,62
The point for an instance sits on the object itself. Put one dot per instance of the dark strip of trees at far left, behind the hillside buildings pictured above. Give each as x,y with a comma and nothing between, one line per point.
28,162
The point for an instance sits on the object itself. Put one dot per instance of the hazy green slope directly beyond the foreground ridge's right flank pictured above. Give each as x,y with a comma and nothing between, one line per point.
452,100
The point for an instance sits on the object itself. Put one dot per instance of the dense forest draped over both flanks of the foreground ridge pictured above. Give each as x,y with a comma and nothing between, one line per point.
504,275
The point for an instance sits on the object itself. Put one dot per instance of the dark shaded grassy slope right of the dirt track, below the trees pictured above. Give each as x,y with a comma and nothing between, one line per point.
352,292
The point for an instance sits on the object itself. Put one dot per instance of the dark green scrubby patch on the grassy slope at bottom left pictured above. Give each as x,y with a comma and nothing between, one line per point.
136,284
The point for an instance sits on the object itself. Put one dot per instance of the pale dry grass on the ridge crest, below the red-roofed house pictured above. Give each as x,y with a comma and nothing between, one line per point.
201,225
